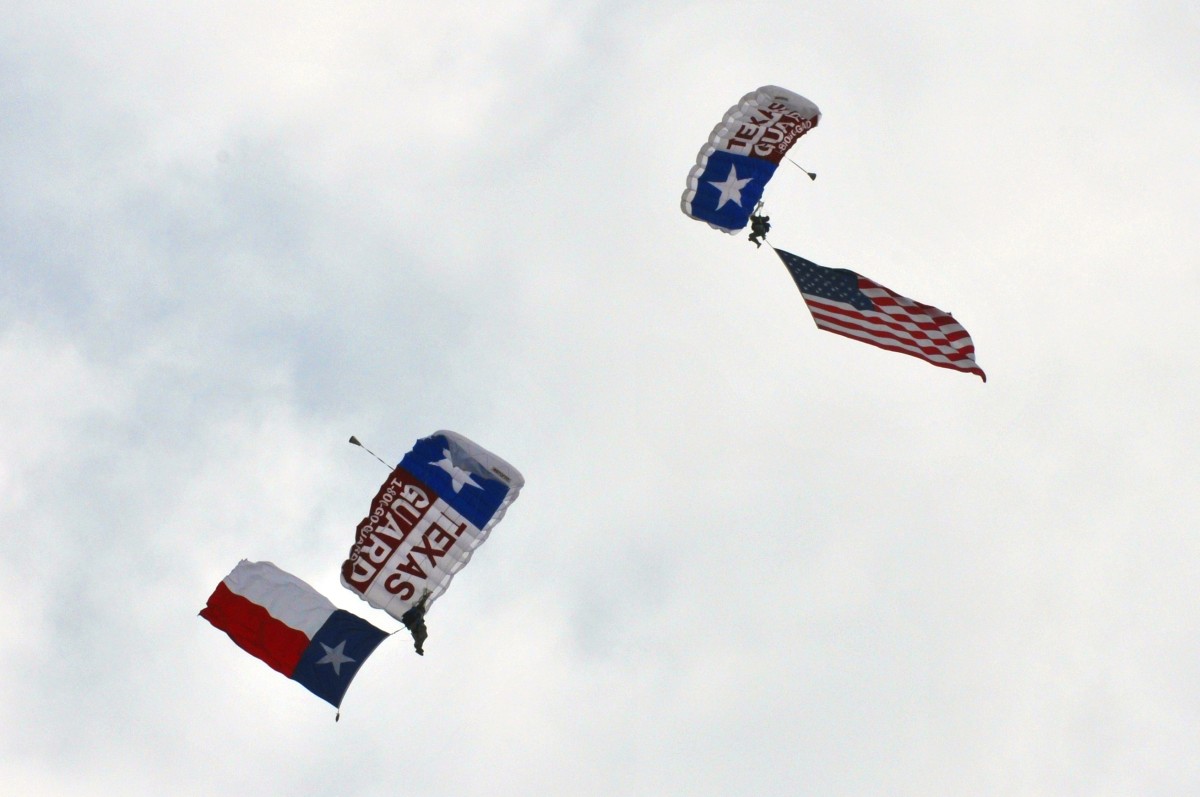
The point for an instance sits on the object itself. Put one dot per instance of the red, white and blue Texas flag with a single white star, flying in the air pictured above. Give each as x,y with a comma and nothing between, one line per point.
293,628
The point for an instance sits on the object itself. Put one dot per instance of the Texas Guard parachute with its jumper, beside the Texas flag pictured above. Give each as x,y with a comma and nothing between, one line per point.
436,508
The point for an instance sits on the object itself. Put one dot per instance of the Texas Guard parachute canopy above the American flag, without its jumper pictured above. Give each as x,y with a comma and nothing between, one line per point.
742,154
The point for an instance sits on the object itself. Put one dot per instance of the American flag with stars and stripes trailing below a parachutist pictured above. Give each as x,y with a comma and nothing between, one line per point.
849,304
